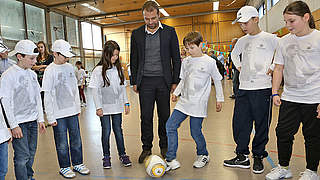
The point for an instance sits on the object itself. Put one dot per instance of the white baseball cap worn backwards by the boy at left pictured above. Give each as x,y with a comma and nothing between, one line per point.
26,47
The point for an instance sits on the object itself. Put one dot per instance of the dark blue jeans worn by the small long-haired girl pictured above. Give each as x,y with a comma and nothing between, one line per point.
117,130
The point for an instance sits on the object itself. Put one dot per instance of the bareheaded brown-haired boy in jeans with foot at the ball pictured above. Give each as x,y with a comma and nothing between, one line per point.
194,87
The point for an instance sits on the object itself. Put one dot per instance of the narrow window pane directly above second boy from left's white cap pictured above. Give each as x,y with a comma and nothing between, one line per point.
56,26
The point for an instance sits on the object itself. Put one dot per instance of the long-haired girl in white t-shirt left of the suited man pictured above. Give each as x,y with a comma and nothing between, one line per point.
109,93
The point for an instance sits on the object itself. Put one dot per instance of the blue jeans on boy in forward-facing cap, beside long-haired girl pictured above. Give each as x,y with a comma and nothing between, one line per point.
68,125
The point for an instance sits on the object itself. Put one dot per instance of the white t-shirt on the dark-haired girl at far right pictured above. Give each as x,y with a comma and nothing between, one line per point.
301,59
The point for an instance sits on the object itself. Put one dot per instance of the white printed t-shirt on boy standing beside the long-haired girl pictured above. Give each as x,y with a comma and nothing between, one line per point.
61,91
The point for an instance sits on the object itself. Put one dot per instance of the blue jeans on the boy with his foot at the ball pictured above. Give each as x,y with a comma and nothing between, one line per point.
173,123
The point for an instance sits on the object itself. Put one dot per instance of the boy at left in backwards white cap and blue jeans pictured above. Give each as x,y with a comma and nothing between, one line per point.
22,104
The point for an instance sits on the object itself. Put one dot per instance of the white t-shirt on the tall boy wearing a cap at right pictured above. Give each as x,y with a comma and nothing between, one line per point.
257,53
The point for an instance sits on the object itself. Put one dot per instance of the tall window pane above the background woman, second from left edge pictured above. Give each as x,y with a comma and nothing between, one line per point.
36,23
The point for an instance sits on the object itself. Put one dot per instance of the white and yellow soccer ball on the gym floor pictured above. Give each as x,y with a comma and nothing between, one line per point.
155,166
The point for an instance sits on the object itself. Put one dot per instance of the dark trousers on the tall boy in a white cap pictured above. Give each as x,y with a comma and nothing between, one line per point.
252,106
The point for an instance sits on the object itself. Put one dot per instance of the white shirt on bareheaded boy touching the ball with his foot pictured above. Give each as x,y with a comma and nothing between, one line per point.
195,85
